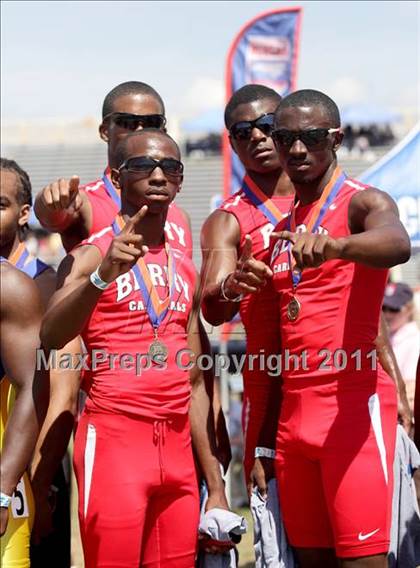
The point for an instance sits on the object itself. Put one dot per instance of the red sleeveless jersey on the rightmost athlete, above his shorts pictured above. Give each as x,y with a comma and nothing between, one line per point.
340,300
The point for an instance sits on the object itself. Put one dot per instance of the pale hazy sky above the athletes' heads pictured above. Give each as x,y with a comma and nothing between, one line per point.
59,59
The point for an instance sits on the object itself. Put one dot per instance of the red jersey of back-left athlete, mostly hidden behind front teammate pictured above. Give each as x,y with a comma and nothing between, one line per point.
105,209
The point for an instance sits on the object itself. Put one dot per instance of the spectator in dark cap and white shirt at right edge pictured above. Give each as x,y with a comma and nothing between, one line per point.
398,308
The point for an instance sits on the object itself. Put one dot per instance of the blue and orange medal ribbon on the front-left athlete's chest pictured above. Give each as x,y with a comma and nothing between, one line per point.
156,308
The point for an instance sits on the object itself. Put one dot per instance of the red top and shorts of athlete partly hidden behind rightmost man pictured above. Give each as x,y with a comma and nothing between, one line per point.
259,318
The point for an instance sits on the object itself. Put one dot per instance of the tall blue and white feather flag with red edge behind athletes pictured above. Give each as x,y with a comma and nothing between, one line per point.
265,52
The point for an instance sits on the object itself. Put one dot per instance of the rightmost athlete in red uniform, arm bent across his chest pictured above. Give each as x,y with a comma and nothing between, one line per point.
336,433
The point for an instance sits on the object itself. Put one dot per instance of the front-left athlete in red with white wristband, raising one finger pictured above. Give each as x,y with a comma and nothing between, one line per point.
129,293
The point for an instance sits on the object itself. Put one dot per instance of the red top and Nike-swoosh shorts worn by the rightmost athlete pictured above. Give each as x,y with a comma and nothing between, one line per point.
336,434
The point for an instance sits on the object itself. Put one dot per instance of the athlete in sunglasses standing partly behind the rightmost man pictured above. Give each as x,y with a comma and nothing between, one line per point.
239,229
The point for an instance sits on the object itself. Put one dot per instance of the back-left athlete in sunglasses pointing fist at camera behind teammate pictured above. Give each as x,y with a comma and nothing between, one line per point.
77,212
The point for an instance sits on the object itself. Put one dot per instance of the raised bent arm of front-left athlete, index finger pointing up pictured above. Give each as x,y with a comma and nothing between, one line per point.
76,297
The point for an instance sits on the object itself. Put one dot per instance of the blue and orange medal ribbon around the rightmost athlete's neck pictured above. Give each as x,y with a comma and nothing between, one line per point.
328,195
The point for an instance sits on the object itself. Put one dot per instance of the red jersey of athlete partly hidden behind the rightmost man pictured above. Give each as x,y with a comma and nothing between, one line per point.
256,313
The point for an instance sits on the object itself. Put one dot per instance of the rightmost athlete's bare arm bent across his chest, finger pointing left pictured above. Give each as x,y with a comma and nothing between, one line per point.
378,237
